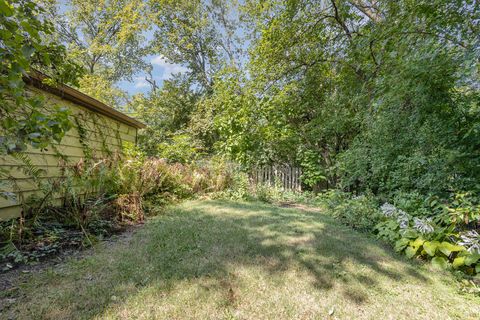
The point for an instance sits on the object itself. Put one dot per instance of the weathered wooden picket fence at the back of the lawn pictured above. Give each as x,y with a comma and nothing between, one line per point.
284,176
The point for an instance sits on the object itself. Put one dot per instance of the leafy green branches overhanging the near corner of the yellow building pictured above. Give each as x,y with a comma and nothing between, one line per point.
24,121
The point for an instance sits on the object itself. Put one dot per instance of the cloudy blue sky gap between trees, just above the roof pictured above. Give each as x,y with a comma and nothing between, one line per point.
162,70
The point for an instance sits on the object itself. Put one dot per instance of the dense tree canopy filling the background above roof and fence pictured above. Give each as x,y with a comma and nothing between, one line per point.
362,94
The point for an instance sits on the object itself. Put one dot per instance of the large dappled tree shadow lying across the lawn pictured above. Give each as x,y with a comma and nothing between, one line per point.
208,239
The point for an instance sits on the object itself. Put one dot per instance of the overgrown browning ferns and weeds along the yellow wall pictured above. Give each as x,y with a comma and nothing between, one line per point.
98,197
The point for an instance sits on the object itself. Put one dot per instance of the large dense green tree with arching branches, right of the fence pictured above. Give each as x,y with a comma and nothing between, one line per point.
348,78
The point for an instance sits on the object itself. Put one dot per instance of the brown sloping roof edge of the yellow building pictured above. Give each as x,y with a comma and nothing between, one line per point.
36,78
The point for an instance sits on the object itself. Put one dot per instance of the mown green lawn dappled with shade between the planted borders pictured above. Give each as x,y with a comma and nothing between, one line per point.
235,260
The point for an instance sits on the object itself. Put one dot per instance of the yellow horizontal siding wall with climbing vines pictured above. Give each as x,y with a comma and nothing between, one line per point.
93,133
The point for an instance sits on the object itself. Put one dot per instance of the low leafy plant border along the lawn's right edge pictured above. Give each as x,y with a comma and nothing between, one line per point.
446,236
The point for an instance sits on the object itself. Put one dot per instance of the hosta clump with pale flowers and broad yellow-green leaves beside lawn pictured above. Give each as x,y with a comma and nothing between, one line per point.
438,238
